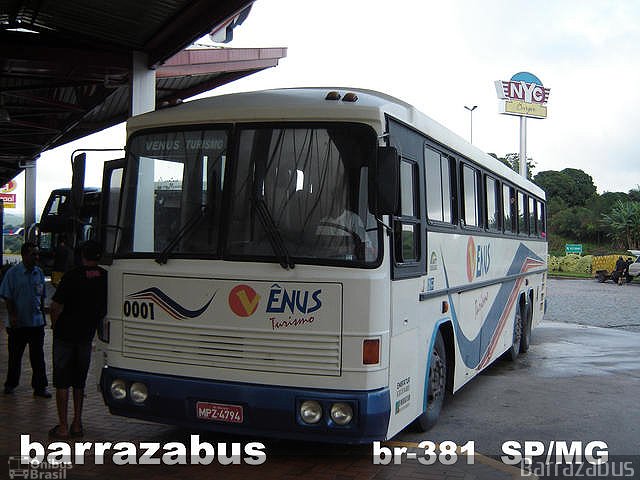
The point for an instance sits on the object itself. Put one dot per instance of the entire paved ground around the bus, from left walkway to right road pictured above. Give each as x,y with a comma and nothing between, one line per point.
577,383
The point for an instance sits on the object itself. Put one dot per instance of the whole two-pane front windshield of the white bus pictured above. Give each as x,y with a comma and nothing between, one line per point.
287,193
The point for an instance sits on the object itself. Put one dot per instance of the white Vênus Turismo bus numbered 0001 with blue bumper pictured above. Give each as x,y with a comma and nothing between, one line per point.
317,264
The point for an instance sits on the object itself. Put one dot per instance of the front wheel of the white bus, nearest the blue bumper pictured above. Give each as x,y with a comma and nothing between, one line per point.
437,386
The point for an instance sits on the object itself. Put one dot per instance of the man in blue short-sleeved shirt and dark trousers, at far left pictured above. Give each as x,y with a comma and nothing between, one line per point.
24,292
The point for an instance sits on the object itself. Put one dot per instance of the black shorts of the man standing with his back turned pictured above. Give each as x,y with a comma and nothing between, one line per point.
70,363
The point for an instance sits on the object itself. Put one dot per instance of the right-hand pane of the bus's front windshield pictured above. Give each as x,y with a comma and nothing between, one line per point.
314,183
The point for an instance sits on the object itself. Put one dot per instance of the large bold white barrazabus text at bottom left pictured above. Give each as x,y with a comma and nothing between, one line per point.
144,453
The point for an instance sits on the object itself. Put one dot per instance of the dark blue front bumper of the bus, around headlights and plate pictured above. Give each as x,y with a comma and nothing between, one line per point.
269,411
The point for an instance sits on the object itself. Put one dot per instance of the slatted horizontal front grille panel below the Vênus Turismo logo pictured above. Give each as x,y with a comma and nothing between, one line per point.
290,352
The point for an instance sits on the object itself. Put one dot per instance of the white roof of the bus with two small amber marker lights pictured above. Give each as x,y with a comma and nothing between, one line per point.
310,104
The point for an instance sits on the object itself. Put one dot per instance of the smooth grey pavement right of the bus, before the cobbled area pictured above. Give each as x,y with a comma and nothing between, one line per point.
577,383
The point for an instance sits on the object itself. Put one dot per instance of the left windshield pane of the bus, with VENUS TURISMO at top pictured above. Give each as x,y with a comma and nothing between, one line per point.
174,190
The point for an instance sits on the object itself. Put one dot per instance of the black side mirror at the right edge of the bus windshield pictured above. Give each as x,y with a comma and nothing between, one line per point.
387,181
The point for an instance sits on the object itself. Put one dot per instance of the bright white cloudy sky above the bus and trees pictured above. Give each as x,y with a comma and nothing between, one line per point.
442,55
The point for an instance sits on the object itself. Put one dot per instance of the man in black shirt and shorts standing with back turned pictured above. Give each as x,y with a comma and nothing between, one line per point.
79,303
